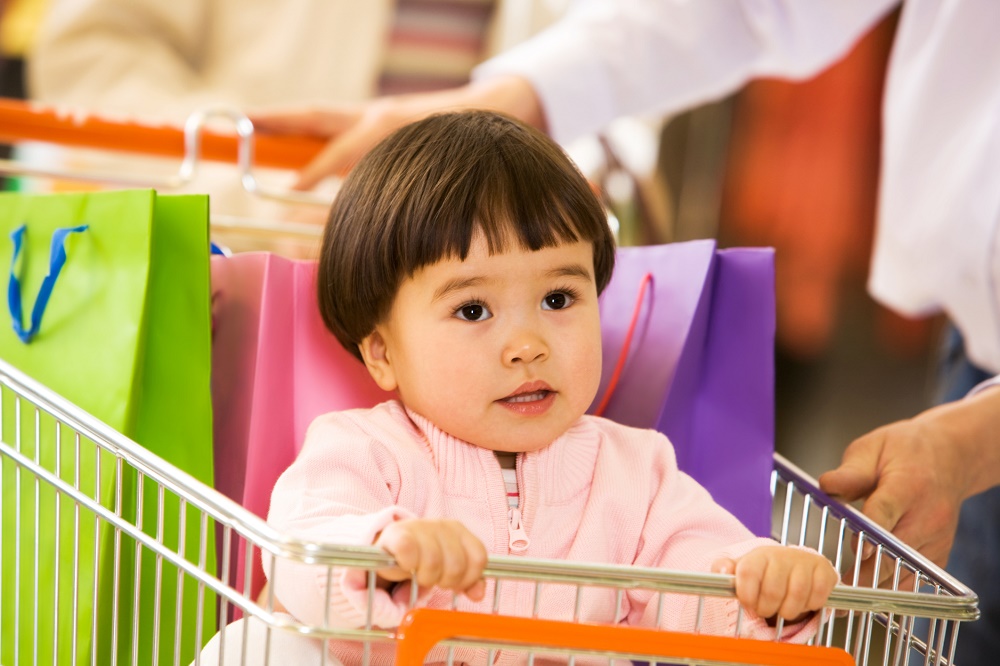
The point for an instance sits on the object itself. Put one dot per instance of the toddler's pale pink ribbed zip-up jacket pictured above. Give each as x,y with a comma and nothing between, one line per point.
602,493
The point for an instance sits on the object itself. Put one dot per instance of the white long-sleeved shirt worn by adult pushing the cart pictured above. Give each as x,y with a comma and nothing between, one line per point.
937,244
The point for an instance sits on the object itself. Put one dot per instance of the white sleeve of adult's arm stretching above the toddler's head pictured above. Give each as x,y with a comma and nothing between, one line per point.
609,59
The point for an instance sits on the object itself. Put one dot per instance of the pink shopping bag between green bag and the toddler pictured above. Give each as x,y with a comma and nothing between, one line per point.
275,368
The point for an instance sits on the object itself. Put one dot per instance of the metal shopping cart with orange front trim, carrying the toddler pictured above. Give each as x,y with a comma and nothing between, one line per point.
872,624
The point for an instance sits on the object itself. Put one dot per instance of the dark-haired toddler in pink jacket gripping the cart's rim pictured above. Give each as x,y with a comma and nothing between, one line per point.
462,263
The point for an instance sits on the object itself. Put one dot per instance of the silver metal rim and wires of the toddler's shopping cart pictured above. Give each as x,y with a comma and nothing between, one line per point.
808,516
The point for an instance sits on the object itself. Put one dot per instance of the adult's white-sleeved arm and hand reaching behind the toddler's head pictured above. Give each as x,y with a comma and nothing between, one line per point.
606,59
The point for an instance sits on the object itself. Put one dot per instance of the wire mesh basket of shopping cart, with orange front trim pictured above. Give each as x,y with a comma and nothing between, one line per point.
83,520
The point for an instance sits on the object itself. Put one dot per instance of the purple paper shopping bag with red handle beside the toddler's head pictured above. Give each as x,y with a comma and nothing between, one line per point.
700,363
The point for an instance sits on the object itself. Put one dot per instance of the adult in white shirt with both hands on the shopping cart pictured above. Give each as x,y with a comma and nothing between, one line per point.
937,245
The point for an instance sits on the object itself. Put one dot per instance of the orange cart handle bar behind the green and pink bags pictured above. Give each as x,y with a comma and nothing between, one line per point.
22,121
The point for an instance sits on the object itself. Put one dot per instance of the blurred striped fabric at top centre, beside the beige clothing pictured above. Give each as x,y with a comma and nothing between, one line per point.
434,44
